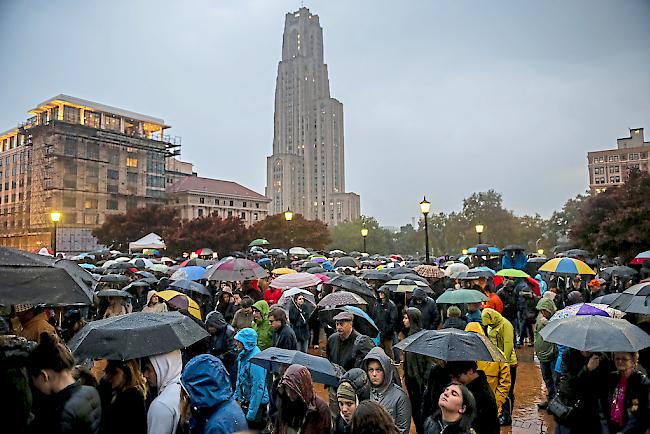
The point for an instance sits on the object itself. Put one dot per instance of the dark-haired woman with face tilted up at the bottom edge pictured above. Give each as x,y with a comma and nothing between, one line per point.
455,414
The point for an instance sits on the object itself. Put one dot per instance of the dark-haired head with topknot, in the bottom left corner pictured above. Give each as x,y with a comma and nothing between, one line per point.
50,363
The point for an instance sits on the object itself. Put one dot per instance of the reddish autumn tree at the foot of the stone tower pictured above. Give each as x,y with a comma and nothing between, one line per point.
297,232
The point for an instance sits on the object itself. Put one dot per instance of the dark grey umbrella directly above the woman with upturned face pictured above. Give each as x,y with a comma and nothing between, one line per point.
452,345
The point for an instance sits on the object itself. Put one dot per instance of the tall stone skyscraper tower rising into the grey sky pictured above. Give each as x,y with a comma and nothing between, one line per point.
306,172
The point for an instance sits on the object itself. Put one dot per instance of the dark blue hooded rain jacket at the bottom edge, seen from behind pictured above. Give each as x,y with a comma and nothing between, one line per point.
214,410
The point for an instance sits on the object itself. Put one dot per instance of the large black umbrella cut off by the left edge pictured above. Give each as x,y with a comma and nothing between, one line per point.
27,278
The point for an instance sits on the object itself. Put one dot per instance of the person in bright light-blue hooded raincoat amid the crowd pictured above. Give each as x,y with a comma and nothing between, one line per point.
251,378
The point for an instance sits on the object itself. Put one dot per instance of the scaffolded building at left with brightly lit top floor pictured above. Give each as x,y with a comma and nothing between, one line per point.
83,159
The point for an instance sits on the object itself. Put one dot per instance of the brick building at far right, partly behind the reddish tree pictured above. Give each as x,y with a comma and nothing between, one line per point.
610,167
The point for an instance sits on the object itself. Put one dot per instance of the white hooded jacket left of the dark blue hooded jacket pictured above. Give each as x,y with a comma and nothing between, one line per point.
164,411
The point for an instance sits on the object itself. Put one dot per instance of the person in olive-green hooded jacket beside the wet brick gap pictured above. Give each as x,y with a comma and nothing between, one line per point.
546,351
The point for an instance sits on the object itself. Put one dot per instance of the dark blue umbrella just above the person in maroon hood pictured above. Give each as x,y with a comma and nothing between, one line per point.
273,359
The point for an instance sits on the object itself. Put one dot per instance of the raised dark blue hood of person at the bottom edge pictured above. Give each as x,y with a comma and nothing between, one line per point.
206,381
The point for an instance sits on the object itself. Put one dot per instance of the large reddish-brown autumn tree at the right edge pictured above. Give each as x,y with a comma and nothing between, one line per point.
615,222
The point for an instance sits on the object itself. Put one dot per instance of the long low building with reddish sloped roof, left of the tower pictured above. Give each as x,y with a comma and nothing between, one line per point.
196,197
